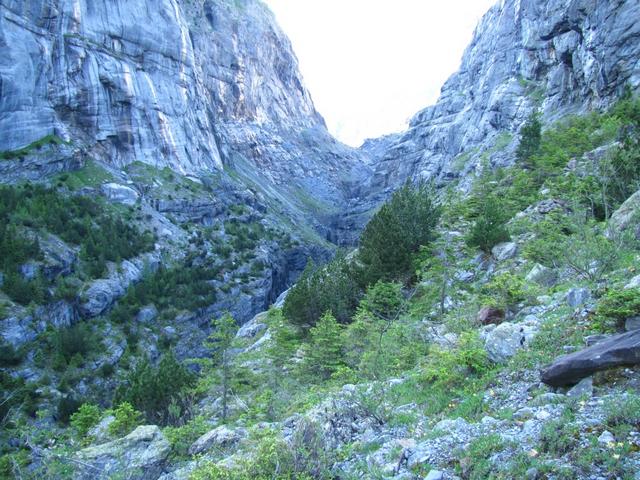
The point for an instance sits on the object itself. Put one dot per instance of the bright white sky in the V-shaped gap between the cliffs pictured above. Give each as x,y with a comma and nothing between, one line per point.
370,65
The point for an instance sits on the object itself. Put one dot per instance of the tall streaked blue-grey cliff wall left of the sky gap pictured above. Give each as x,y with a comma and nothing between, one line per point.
190,85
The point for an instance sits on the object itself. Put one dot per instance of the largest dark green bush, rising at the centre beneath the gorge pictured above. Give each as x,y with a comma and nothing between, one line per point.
396,232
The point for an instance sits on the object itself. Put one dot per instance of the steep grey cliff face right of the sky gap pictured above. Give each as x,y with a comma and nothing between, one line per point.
558,56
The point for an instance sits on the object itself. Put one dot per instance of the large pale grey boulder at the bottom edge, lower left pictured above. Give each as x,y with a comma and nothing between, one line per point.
141,455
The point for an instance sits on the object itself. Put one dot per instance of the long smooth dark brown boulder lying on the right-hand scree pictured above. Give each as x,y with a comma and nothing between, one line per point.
616,351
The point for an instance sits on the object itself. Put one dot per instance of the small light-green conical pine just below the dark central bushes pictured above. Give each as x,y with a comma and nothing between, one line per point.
323,354
